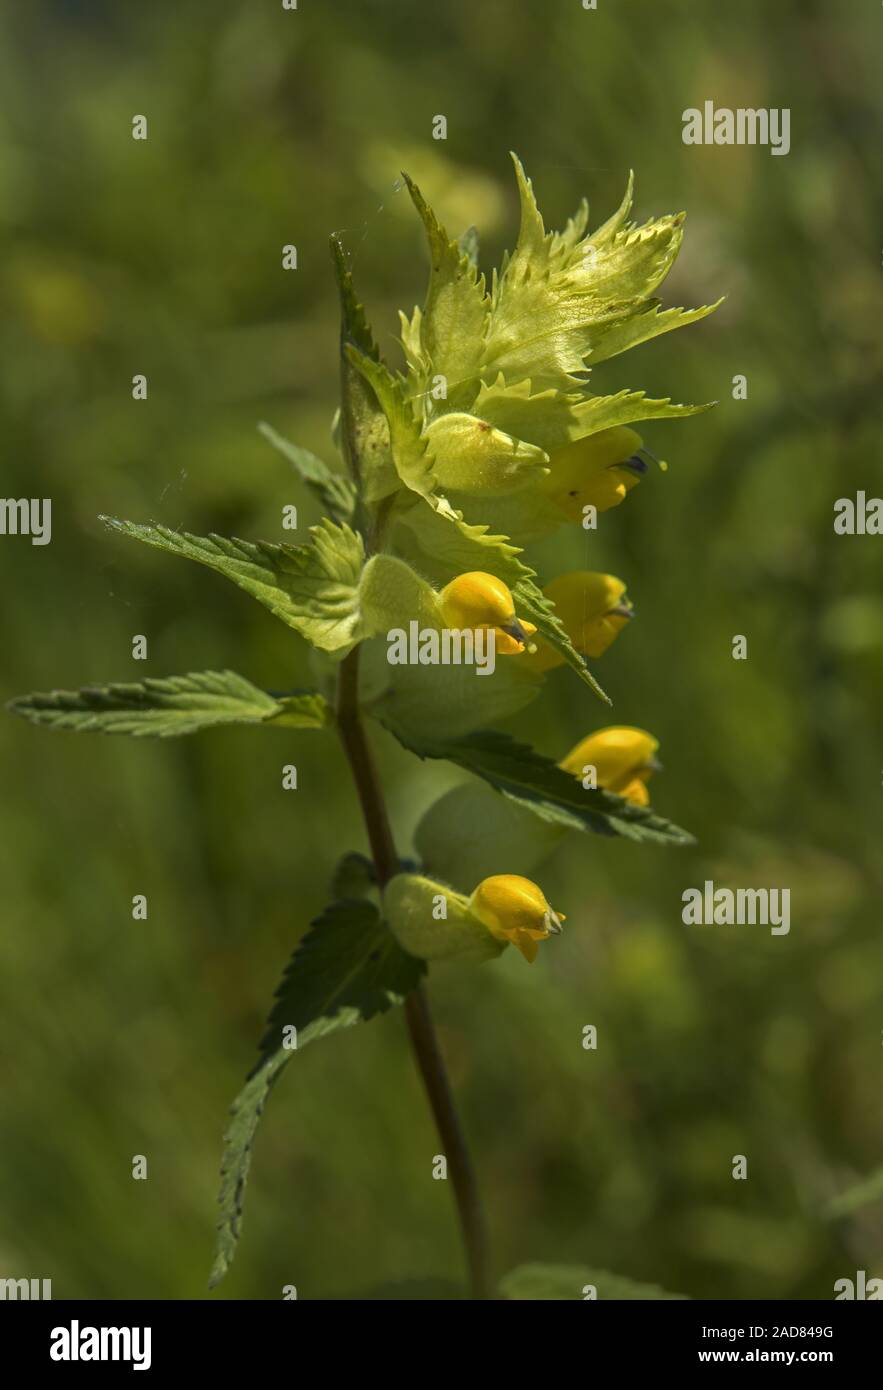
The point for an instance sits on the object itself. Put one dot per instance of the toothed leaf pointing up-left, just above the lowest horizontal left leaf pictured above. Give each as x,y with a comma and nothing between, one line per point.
312,589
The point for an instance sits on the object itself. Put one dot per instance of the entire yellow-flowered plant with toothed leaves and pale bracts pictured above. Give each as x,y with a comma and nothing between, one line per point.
489,439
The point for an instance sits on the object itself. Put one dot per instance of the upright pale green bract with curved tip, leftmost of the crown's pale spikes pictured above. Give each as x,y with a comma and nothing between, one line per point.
455,312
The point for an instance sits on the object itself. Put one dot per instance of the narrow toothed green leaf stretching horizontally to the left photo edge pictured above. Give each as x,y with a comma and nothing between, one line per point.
163,708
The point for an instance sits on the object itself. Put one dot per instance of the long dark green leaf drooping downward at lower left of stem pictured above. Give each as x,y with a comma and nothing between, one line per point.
347,970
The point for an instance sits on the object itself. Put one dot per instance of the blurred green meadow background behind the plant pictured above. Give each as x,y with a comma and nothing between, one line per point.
165,258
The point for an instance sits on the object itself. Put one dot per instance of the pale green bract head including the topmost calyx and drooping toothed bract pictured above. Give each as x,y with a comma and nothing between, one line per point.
496,383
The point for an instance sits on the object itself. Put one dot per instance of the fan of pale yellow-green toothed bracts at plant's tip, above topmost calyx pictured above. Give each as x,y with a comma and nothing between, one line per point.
517,357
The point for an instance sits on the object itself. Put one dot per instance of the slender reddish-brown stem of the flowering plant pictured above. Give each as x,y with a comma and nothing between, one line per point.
422,1032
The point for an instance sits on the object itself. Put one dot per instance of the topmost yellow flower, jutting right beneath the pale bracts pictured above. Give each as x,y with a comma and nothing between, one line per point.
599,469
